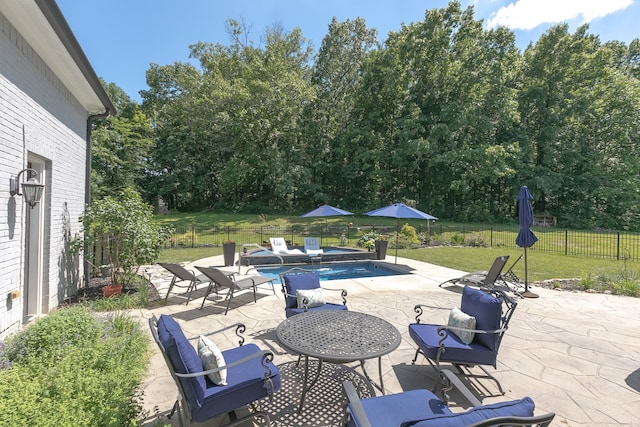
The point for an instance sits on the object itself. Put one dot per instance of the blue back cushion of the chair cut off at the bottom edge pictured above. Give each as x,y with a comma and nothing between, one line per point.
517,408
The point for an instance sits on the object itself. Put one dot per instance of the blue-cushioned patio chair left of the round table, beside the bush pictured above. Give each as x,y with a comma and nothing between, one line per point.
211,382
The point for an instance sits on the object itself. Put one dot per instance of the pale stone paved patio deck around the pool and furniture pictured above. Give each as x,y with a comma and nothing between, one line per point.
576,354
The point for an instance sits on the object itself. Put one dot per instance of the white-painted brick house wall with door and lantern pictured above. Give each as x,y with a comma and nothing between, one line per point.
39,119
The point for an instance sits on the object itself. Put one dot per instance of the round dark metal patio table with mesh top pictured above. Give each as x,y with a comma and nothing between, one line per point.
337,336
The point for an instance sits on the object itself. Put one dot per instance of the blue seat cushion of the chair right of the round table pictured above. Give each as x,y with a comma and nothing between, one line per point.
427,339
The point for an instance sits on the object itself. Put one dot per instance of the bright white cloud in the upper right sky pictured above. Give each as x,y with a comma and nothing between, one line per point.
528,14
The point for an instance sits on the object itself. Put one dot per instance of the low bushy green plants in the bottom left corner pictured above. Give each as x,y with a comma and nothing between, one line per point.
73,369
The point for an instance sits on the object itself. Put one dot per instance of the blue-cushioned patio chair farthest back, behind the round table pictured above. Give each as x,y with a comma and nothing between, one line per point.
303,292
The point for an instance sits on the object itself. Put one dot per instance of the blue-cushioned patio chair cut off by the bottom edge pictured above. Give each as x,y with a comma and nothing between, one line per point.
422,408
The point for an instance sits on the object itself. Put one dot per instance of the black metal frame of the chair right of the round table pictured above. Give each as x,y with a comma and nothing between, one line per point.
509,306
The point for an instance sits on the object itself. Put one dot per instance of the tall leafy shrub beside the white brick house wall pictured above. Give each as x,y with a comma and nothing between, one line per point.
124,229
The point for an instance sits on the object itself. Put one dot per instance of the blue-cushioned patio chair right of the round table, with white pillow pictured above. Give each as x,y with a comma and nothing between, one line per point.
472,335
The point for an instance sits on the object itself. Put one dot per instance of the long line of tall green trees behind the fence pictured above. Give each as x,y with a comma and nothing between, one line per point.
445,115
